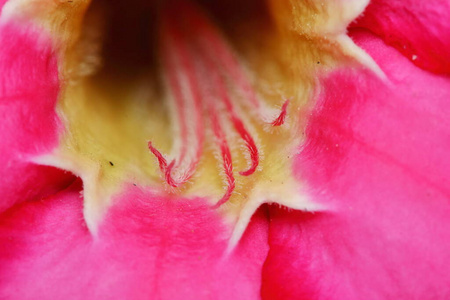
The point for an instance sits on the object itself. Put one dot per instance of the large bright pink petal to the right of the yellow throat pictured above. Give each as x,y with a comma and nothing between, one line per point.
378,156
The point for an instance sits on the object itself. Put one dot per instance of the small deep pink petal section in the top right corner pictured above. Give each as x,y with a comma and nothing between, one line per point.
419,29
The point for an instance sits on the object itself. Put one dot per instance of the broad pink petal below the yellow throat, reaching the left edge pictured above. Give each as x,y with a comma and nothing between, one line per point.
148,247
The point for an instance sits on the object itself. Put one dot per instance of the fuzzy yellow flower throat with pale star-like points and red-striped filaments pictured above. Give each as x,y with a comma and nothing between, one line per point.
190,99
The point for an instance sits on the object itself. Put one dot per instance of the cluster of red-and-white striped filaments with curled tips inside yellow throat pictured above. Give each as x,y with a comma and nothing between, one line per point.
196,56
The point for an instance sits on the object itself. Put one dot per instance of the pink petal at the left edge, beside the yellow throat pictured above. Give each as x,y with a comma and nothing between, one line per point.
28,92
